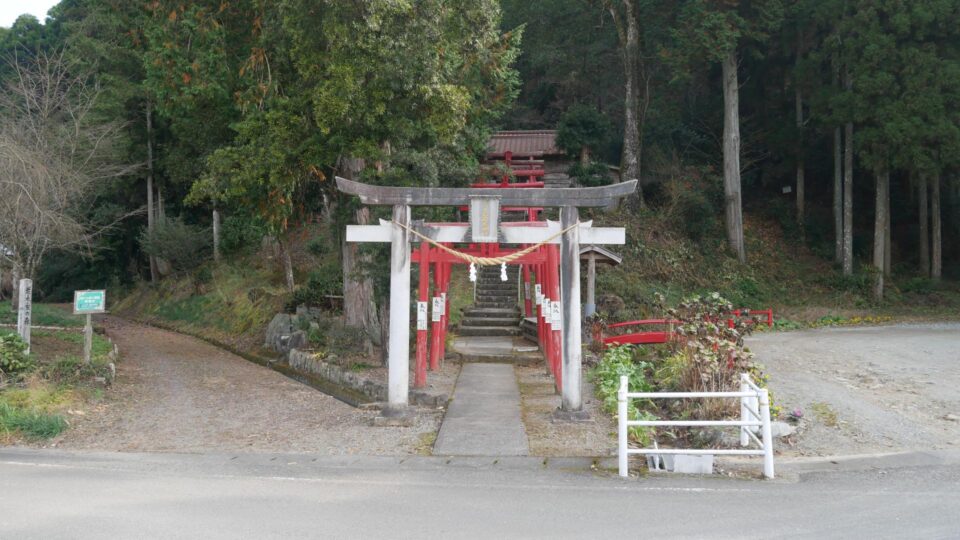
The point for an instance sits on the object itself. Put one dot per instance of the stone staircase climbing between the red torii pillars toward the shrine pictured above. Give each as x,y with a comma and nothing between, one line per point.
495,311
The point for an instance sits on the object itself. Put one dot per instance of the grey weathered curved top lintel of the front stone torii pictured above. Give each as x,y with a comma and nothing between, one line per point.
578,197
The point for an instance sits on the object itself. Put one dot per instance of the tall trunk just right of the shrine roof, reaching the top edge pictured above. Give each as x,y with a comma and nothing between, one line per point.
630,160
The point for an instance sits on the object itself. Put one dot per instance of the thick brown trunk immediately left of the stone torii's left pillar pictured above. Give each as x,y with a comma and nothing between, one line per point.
359,304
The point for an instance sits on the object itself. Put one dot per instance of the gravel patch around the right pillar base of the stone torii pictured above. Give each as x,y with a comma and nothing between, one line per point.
597,437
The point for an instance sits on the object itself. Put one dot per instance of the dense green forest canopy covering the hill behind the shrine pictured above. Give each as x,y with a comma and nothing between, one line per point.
843,116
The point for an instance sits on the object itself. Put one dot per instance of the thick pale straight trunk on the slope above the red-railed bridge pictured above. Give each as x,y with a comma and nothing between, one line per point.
731,155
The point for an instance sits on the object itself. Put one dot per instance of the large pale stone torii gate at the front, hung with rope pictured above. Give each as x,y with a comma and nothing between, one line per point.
396,232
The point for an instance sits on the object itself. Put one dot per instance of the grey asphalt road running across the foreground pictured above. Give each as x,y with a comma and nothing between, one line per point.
53,494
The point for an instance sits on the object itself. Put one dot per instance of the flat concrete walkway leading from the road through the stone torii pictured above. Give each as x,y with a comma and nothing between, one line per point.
484,415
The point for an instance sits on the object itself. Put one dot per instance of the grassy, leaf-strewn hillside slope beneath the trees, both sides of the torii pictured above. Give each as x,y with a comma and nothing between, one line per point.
232,302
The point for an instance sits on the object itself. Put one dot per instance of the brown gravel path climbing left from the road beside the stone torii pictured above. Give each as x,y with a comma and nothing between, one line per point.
179,394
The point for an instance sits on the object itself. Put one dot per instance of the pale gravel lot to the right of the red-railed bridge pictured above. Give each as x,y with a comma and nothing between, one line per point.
865,390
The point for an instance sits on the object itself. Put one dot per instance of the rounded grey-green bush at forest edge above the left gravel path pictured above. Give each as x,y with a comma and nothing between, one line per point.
184,246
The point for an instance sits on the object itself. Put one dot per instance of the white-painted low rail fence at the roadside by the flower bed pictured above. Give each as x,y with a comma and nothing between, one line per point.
754,413
